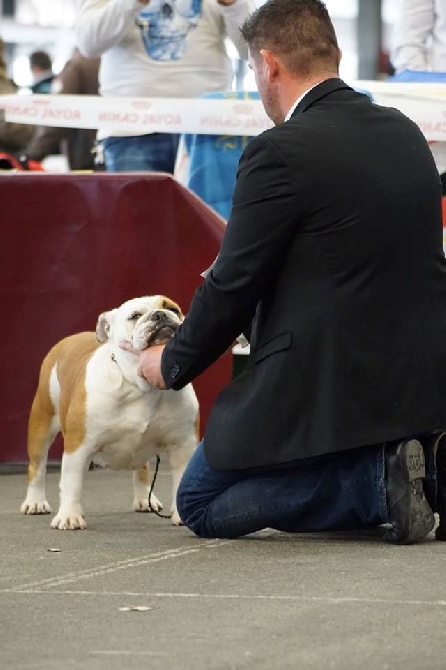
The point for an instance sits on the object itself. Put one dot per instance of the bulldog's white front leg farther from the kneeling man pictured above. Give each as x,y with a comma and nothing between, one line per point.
70,515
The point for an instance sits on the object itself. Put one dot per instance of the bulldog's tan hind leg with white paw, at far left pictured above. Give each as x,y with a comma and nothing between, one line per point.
43,427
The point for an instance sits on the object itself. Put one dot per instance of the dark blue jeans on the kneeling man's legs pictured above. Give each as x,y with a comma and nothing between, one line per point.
344,492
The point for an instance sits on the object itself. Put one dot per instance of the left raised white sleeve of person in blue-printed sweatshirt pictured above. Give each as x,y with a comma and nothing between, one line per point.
101,24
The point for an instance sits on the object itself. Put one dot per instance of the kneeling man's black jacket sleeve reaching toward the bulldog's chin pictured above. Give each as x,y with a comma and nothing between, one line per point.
263,221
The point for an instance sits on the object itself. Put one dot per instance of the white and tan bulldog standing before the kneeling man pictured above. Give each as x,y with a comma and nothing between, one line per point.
89,390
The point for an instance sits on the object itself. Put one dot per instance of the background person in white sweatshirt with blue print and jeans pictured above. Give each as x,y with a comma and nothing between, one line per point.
158,50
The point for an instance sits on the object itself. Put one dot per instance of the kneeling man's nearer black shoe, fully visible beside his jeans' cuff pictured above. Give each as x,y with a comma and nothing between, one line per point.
409,512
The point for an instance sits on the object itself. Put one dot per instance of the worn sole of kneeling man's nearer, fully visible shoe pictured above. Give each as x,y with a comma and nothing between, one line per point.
422,519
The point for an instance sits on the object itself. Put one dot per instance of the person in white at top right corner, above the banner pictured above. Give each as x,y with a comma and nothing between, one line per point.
420,36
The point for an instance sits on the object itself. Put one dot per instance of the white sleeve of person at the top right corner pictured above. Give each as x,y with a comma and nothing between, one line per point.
412,30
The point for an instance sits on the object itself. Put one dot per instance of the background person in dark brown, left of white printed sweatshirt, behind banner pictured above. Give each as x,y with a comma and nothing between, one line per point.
78,77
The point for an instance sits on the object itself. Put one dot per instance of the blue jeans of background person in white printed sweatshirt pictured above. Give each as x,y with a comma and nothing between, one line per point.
145,153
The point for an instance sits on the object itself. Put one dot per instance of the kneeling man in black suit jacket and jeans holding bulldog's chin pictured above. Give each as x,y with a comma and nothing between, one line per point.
333,259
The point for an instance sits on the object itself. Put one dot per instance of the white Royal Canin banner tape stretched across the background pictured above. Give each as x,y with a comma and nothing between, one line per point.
423,103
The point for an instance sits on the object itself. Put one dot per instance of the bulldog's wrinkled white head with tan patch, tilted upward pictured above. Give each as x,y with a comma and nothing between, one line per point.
141,321
